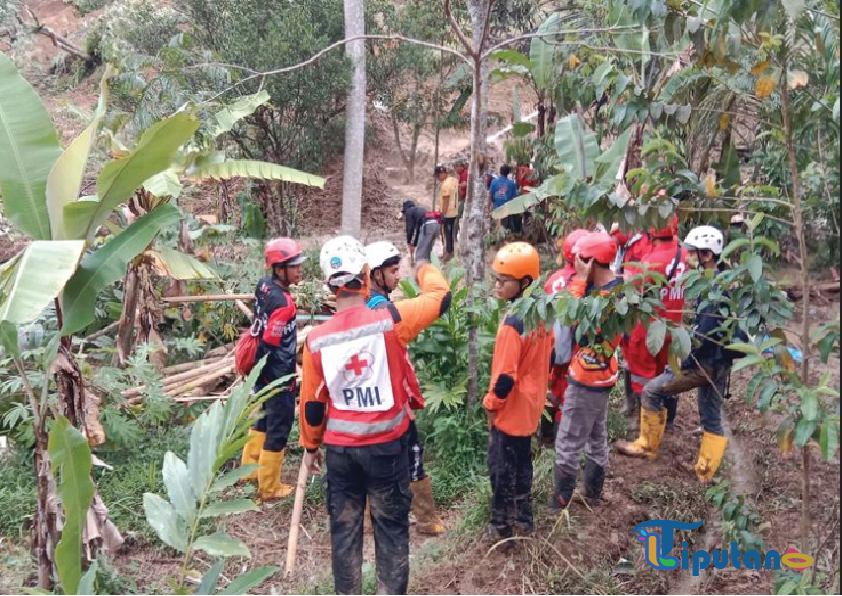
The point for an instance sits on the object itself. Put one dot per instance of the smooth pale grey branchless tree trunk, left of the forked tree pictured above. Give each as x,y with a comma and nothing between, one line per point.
355,121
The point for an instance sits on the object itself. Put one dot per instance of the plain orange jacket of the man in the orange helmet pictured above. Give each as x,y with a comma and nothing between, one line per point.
519,374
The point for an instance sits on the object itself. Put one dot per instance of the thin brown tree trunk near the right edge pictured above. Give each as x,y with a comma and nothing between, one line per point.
798,220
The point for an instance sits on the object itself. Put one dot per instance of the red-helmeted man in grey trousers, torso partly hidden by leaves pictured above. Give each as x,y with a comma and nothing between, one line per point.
594,371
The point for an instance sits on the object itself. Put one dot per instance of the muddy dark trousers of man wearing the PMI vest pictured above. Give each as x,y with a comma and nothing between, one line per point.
378,474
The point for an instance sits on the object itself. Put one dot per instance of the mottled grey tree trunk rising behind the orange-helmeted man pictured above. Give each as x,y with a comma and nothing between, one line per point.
472,251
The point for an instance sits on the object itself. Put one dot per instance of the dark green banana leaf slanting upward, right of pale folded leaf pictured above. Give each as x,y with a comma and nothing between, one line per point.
108,264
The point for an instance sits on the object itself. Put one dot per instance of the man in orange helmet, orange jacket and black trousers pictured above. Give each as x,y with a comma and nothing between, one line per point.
515,399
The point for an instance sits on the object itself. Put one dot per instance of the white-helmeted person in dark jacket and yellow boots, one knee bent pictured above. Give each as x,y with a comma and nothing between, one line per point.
708,368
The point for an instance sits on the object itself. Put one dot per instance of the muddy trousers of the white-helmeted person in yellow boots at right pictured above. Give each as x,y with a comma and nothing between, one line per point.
658,392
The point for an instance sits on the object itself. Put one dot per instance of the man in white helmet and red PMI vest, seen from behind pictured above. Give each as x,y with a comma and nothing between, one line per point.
357,387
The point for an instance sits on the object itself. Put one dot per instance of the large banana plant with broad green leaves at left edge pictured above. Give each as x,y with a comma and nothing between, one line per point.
40,186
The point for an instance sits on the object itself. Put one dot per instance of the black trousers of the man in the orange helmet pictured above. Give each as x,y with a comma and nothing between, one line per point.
510,471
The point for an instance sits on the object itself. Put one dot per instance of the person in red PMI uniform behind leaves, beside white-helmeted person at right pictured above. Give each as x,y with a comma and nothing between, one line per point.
667,257
